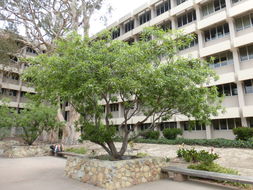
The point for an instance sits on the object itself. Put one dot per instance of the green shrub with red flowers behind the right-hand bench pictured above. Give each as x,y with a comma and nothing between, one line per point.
192,155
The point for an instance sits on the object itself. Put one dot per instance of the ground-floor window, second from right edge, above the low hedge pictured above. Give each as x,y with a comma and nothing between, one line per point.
226,124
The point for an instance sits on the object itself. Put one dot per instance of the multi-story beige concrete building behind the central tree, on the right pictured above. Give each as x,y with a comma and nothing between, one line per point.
224,30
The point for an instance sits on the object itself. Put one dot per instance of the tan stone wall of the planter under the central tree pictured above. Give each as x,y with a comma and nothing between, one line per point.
114,174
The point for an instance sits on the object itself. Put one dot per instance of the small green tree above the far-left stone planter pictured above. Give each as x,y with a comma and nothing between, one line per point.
33,120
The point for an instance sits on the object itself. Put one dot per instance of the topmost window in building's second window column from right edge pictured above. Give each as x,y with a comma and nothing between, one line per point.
213,6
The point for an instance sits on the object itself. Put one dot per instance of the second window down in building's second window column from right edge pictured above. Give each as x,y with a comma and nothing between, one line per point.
217,32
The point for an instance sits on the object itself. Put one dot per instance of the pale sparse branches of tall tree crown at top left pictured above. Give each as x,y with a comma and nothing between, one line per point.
47,20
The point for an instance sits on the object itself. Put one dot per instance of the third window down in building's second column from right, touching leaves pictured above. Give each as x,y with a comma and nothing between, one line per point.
222,59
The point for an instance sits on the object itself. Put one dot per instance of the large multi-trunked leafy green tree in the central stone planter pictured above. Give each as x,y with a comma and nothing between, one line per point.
145,77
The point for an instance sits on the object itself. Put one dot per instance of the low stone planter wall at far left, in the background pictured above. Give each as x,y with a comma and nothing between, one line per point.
27,151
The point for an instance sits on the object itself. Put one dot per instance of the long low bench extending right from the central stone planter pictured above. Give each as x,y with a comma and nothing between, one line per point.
182,174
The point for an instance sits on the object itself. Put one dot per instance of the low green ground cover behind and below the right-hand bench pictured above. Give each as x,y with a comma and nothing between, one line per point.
213,167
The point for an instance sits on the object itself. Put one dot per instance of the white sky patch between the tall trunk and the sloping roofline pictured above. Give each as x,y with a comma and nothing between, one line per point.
120,9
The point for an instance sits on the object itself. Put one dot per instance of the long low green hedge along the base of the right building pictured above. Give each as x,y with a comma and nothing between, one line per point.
219,143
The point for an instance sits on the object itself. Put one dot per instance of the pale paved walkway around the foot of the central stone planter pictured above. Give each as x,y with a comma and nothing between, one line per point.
47,173
